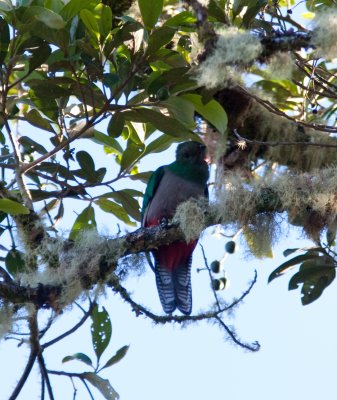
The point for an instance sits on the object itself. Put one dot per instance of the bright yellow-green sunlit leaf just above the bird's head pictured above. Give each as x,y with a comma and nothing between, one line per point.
211,112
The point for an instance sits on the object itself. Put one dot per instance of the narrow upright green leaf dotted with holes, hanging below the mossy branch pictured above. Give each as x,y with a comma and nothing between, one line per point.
101,330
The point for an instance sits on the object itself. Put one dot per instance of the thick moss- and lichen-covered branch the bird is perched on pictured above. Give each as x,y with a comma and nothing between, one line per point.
309,200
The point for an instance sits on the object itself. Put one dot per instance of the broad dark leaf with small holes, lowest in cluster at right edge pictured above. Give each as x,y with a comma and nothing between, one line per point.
315,275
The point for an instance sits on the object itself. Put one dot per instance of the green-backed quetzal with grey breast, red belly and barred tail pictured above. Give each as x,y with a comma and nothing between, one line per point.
169,186
